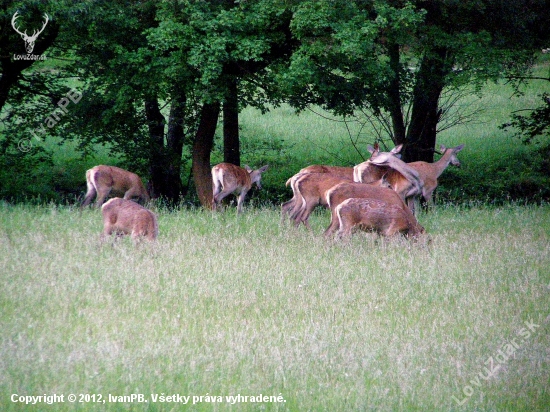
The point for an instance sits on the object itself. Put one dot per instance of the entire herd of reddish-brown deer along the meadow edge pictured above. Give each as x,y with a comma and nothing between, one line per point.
378,195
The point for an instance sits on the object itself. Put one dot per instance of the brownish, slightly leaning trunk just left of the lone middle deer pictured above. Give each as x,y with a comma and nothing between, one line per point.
202,146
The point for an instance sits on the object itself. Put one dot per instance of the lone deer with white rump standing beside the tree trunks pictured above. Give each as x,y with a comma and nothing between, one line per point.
228,178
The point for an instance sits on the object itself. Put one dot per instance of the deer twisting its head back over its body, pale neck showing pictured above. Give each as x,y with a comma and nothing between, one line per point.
404,179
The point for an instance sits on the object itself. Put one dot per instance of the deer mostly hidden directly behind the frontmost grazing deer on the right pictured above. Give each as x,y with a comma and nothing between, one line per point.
344,191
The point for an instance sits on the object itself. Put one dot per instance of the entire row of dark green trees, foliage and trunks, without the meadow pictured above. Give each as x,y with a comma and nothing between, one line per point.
155,76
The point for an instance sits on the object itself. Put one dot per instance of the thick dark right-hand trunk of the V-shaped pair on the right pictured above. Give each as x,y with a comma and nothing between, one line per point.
422,131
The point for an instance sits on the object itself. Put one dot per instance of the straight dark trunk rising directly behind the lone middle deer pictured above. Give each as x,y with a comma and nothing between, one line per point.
231,146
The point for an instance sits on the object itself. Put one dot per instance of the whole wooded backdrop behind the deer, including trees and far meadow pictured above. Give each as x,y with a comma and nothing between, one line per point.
167,89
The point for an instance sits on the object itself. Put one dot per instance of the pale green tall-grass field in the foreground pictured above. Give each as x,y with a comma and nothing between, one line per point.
225,305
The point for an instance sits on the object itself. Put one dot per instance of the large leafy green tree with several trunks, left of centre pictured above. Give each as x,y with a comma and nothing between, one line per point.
190,56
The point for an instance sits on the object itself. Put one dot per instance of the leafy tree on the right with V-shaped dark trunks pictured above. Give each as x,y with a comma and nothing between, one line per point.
397,57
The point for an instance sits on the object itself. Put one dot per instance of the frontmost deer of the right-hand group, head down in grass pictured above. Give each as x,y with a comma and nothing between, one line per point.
376,215
